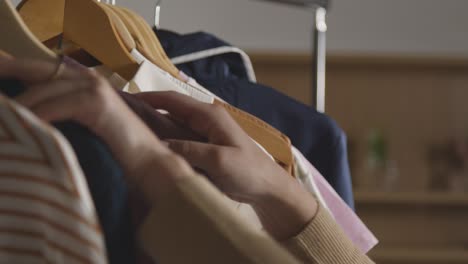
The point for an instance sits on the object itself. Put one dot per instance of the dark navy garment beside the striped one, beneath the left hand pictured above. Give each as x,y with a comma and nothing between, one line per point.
106,183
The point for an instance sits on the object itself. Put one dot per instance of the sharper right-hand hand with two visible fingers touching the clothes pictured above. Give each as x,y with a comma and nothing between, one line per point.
236,165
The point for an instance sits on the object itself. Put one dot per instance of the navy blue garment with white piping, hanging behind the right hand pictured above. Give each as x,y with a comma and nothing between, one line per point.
316,135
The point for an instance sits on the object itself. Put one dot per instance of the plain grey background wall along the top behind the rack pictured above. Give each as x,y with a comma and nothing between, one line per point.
388,26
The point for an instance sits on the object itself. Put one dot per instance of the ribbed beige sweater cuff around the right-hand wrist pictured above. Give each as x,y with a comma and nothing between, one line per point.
323,241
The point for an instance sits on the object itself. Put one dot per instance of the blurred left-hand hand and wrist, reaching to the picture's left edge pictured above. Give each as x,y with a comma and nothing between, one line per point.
81,95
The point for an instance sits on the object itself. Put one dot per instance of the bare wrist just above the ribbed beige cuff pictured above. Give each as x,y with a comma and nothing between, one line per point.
286,210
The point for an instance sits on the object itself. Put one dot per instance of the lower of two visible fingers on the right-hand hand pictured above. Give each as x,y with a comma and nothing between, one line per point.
204,156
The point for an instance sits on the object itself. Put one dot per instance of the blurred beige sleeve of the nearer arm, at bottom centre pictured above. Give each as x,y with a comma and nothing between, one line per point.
194,224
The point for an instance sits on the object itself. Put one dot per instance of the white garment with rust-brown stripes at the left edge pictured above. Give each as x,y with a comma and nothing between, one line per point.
46,211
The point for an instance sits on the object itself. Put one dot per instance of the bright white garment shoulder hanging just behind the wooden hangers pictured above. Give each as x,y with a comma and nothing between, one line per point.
152,78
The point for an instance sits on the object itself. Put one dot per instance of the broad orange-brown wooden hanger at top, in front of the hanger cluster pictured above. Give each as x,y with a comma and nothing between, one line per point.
99,33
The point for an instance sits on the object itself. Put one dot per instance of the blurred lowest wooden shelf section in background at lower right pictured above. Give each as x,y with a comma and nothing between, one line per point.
413,223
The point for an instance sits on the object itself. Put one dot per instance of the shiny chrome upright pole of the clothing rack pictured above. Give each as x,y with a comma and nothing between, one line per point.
319,9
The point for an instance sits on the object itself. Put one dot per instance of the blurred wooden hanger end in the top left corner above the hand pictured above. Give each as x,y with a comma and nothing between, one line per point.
17,40
